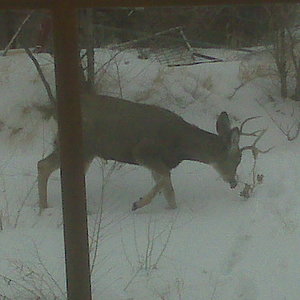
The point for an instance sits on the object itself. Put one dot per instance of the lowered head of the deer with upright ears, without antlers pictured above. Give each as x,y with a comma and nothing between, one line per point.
227,165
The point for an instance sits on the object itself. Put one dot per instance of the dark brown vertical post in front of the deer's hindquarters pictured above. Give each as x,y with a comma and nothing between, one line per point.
65,30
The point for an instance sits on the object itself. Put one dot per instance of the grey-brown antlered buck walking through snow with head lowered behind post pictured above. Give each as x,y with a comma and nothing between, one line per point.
150,136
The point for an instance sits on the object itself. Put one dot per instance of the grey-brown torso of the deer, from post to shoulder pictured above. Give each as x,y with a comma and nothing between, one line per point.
114,127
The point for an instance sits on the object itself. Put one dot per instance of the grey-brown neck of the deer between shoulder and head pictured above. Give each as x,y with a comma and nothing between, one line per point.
203,146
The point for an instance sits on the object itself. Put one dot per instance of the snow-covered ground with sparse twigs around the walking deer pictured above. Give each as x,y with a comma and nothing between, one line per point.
215,246
